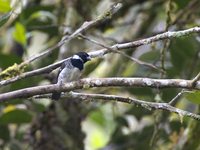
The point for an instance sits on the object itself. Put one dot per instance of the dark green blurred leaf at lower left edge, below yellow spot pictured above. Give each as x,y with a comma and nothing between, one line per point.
16,116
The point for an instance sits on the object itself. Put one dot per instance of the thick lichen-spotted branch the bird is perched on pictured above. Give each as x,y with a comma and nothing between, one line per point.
100,82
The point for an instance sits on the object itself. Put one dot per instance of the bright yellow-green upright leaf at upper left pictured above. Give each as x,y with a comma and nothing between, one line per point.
19,34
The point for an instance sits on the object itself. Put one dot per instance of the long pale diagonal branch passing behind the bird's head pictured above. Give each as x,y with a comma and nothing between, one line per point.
99,53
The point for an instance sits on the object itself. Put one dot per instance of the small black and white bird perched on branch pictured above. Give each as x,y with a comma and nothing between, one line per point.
71,70
